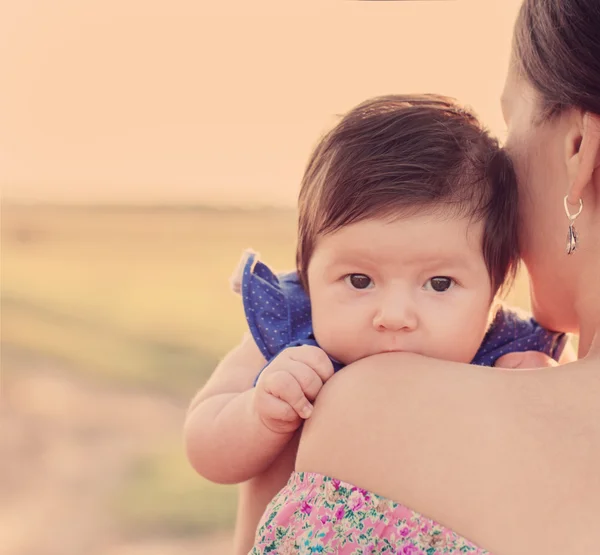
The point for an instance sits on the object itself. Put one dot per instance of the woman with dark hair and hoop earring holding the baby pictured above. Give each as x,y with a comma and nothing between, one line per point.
503,462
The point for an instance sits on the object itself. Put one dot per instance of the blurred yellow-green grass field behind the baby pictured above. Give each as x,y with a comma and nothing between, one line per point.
139,299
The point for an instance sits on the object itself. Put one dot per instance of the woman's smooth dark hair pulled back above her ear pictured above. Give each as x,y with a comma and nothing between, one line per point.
557,46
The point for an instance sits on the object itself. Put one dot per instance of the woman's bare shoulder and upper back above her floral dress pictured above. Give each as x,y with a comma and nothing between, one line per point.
447,439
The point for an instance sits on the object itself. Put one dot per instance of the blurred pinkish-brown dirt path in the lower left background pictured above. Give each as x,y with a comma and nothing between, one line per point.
64,447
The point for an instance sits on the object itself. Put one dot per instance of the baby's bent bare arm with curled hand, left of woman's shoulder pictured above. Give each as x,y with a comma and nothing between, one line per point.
234,431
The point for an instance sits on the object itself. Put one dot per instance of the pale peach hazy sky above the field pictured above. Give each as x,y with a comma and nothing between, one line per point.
179,101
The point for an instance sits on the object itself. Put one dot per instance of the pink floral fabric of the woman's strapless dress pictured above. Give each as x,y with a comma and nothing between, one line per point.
319,514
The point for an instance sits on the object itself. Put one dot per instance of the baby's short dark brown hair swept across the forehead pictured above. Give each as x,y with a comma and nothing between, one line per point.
395,155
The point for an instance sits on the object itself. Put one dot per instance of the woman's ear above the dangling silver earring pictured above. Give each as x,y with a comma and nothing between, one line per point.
582,154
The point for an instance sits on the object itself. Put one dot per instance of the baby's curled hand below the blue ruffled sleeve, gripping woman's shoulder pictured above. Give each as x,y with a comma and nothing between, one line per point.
287,387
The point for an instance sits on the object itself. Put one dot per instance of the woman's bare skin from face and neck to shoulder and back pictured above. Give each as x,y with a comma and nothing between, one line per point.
508,459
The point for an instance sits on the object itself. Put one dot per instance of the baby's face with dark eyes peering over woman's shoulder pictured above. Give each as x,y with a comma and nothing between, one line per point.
417,284
